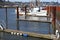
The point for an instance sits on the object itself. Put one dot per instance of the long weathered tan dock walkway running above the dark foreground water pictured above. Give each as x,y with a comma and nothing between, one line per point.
48,36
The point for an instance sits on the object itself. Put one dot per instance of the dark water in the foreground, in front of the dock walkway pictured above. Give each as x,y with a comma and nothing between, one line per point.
8,36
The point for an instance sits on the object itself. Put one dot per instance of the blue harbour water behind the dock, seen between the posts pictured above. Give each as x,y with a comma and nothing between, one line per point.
36,27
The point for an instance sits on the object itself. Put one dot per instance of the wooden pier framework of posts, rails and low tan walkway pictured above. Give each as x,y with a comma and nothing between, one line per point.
48,36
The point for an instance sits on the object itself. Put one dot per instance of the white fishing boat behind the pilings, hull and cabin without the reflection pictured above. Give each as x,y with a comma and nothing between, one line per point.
33,11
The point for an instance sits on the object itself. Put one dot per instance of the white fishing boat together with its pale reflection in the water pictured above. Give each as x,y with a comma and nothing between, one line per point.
36,13
